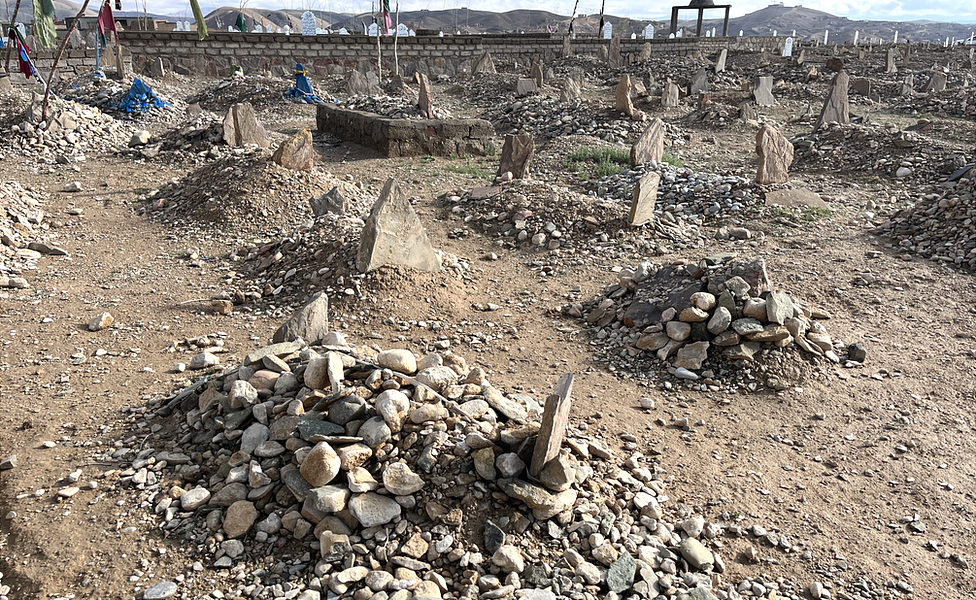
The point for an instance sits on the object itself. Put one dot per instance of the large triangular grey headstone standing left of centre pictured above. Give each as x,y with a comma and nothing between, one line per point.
393,235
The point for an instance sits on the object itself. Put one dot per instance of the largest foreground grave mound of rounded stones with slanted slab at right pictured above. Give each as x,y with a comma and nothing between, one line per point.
403,477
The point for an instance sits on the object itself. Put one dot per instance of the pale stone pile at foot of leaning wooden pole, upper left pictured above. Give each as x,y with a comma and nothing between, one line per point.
70,130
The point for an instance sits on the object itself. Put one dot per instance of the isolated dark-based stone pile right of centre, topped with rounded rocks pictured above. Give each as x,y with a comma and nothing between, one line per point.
700,321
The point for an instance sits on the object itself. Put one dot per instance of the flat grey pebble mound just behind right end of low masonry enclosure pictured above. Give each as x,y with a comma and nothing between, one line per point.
550,118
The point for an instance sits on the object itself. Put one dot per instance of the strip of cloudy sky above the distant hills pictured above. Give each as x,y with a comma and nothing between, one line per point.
959,11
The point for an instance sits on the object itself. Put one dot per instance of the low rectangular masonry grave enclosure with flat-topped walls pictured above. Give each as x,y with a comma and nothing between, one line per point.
406,137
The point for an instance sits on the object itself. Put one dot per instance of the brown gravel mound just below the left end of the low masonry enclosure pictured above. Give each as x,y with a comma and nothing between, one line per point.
245,187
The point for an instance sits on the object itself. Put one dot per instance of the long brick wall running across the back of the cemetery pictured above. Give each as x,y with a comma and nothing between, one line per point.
323,54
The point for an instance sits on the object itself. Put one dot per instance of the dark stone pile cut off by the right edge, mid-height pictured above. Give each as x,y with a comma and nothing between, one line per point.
939,225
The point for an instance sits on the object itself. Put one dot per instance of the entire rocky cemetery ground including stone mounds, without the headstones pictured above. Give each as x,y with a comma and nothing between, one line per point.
154,454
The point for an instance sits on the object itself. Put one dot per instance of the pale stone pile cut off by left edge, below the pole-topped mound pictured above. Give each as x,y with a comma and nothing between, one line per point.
24,234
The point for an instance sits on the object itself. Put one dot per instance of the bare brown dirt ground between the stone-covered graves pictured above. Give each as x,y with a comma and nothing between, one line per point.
868,470
